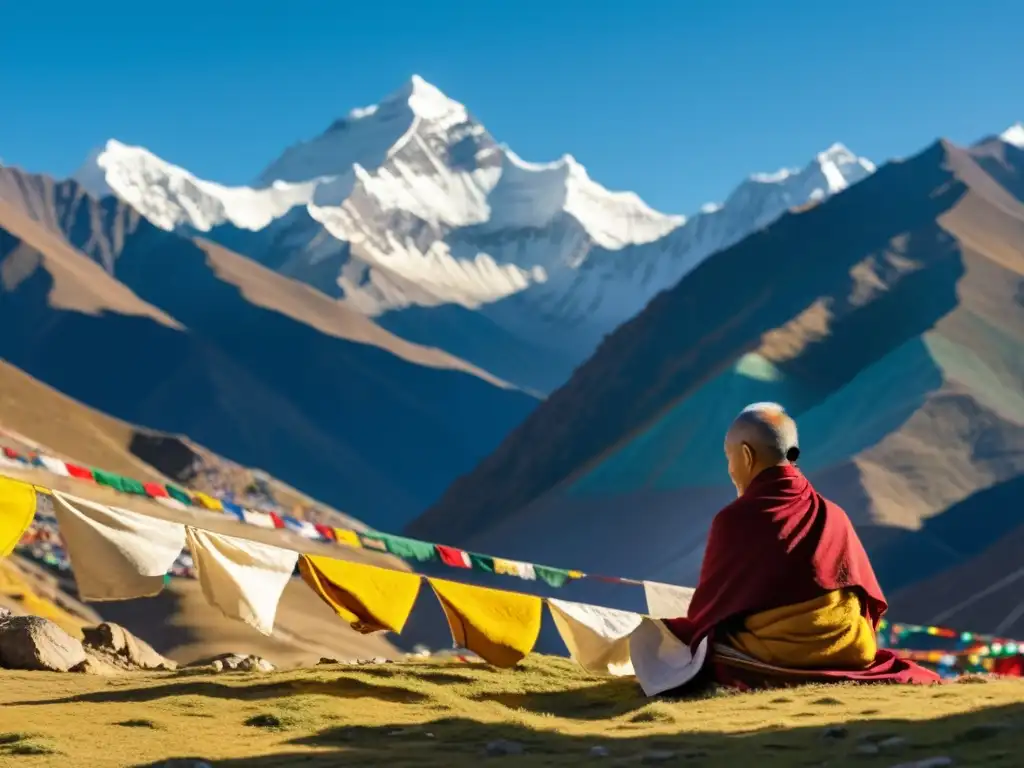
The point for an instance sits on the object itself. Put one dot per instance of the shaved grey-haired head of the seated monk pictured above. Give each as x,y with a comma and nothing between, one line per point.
762,437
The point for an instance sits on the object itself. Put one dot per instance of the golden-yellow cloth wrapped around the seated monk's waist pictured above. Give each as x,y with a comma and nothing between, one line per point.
829,632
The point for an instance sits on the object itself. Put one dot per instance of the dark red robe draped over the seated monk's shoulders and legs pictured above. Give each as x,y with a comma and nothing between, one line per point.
782,544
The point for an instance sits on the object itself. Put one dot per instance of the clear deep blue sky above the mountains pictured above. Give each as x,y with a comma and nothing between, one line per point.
675,100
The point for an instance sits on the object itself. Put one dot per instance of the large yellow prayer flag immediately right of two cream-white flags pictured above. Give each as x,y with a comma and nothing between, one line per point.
371,600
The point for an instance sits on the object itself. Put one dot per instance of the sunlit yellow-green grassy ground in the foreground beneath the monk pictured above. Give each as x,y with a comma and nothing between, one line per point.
447,714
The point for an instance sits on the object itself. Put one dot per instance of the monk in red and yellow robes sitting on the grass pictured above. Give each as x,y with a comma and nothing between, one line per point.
787,593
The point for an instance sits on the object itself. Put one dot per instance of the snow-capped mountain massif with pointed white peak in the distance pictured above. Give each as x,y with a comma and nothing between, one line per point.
411,214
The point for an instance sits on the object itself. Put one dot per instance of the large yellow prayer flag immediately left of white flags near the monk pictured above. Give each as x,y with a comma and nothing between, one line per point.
500,627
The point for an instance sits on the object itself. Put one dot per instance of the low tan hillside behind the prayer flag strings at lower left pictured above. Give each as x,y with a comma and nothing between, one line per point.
180,622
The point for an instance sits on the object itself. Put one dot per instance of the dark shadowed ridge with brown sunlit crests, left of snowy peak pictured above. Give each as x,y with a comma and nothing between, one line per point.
185,336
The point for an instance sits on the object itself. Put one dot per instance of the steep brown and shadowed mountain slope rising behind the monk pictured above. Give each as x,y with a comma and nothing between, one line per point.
889,320
